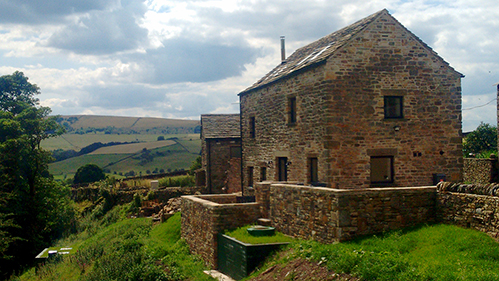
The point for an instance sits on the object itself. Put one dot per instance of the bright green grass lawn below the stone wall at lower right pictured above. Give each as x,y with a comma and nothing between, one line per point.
435,252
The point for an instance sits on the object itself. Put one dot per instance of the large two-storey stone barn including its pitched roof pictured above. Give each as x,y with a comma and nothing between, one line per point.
326,103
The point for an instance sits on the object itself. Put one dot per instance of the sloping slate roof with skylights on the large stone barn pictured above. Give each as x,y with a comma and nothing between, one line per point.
318,51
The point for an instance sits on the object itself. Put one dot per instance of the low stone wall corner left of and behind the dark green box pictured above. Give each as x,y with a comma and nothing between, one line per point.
204,216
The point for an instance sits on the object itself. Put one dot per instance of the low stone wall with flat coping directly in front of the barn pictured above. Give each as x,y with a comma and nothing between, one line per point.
327,215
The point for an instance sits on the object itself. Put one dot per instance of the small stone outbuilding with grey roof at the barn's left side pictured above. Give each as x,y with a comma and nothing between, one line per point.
220,152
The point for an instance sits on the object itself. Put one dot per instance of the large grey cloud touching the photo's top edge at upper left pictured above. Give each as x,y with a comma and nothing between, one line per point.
104,32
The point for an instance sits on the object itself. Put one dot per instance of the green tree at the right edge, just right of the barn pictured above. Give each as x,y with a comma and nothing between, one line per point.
482,139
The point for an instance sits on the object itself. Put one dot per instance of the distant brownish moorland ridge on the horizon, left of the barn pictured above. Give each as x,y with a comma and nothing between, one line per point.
84,124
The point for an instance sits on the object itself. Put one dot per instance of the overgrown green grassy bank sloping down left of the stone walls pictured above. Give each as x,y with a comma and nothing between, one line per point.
127,249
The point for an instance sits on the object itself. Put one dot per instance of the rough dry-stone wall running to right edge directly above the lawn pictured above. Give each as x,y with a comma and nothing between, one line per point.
480,212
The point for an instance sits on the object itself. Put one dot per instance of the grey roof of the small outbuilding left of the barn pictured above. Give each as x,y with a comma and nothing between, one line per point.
220,126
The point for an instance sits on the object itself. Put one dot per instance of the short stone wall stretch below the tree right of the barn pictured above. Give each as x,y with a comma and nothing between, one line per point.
480,171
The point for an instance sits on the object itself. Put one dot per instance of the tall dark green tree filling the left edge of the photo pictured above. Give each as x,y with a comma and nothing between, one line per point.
31,204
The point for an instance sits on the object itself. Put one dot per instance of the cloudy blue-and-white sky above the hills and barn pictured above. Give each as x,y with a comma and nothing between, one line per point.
183,58
